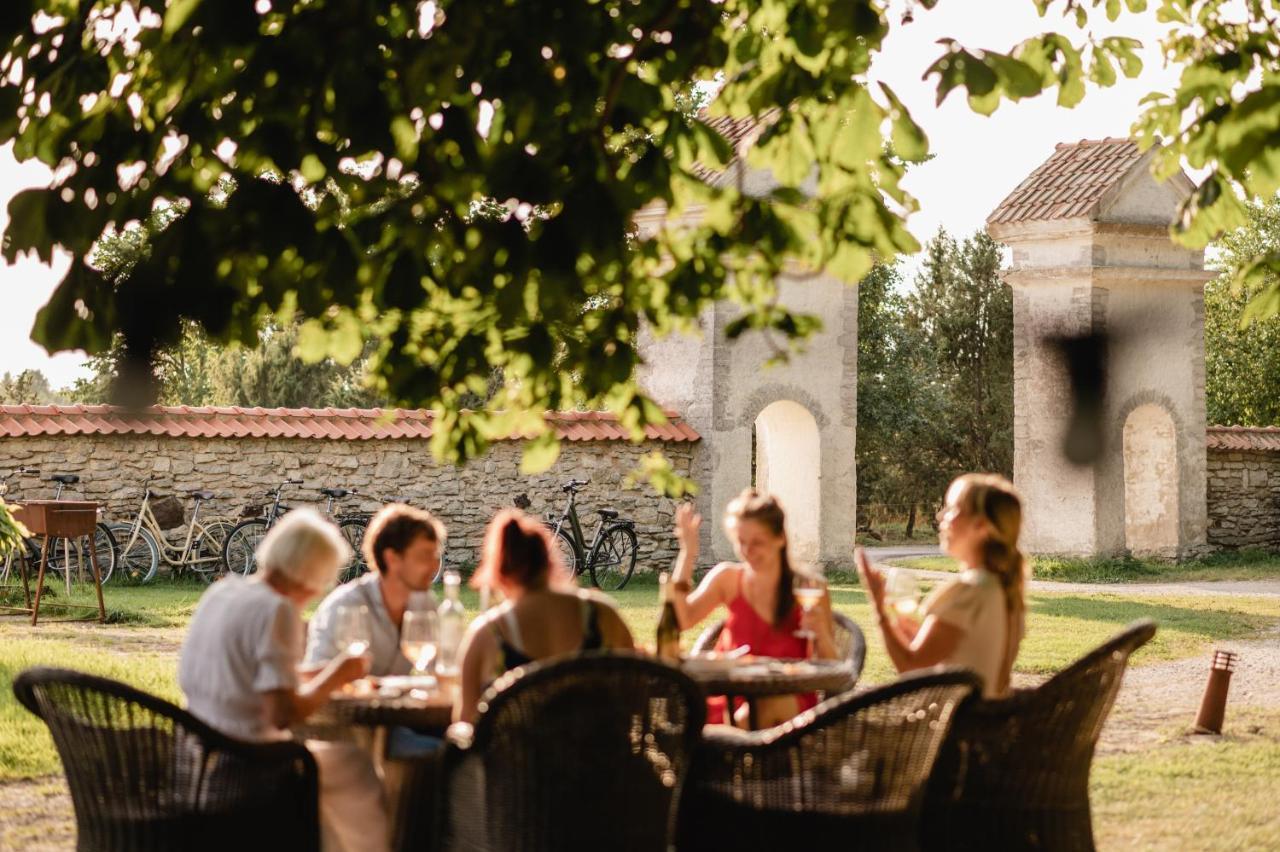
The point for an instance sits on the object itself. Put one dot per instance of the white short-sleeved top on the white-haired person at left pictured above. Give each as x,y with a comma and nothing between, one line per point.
245,640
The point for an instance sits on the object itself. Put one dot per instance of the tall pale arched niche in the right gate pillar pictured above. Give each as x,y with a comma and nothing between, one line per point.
1151,482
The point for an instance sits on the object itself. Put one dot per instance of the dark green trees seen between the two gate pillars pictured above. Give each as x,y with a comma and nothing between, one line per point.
935,377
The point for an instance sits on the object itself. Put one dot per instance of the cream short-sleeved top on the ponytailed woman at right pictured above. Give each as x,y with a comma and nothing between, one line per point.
975,603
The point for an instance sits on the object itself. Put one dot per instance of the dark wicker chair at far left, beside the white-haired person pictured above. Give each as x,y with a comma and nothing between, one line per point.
145,775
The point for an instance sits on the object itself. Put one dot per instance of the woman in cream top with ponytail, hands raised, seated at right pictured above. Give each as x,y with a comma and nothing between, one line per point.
976,621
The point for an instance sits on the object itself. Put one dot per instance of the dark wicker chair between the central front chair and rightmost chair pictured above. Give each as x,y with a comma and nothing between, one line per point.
848,775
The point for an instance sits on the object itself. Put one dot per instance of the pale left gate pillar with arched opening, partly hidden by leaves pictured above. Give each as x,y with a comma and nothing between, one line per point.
721,388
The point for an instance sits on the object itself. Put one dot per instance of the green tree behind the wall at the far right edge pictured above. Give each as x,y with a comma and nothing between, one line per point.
1242,365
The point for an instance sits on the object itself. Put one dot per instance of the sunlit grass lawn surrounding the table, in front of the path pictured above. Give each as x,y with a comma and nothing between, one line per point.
1186,793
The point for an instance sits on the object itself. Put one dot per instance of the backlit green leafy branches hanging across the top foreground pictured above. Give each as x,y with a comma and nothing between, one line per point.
333,161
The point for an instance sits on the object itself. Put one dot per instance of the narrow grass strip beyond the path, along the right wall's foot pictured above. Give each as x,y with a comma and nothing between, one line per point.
1237,565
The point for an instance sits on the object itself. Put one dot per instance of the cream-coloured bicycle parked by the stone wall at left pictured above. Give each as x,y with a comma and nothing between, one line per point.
145,543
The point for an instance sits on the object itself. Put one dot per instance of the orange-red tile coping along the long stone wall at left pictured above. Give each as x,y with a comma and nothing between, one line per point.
335,424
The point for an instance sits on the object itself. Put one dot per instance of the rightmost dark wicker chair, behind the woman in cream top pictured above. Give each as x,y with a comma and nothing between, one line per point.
1014,775
